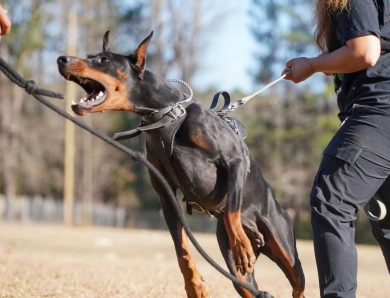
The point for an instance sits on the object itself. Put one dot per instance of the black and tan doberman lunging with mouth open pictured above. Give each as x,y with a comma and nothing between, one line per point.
199,153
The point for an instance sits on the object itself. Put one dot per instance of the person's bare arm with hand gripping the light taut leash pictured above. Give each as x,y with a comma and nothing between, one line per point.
359,53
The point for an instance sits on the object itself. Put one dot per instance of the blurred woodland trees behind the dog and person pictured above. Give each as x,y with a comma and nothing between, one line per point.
289,125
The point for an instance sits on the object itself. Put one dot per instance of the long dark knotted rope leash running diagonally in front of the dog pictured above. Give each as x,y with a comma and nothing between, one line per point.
33,90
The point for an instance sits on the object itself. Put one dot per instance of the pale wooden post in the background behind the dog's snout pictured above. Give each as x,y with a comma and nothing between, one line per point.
69,158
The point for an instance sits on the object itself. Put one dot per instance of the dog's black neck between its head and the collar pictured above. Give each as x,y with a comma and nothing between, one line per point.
154,93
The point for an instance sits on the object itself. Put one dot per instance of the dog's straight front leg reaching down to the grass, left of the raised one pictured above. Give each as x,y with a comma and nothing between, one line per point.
193,281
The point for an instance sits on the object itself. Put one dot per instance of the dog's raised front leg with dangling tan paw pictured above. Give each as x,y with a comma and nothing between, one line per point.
243,255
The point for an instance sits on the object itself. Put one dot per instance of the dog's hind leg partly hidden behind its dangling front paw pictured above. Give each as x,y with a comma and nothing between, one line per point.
224,245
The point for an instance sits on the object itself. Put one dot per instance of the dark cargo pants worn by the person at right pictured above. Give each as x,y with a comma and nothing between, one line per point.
354,167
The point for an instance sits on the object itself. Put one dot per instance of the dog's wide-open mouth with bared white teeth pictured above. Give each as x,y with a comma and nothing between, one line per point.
96,92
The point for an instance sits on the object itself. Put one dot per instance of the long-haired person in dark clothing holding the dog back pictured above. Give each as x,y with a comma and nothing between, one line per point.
354,37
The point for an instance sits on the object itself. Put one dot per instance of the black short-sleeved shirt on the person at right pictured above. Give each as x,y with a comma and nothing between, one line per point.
370,87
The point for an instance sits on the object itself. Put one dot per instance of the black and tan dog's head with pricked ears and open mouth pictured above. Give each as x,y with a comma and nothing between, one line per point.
106,77
